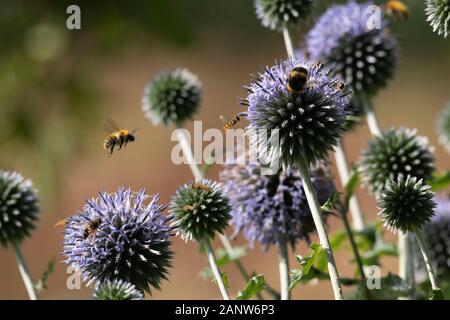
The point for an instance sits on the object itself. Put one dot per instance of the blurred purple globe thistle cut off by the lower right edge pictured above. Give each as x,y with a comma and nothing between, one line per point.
436,234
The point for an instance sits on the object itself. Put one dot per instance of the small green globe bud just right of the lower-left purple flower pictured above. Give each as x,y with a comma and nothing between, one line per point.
200,209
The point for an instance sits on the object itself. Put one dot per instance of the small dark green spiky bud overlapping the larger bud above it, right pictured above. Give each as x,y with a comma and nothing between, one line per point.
406,204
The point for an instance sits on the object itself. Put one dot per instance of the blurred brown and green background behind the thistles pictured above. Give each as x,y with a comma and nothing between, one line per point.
58,86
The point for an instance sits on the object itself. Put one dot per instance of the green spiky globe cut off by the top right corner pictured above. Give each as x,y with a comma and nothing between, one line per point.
438,15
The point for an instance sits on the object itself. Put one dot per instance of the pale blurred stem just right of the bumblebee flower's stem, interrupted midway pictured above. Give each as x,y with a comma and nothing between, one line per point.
344,174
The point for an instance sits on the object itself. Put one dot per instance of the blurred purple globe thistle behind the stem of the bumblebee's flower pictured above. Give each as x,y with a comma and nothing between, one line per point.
272,209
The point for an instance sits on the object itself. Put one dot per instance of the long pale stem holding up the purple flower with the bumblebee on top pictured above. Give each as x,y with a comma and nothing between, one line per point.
320,226
